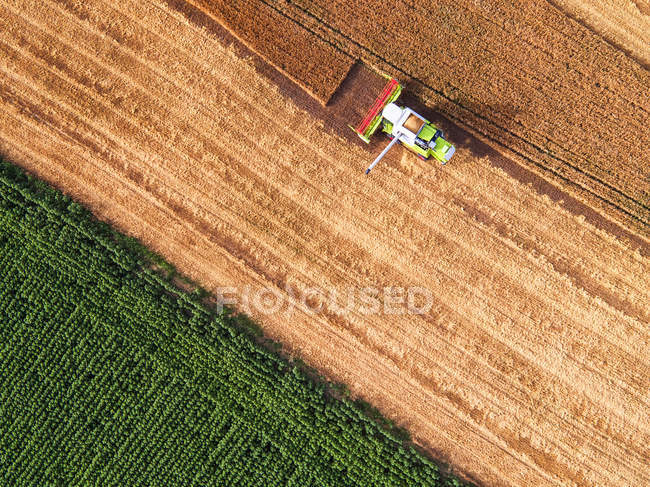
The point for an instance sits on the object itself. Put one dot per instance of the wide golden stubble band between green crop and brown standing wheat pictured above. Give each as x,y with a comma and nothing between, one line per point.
531,368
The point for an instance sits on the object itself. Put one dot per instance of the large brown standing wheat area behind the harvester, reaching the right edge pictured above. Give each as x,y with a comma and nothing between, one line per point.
568,103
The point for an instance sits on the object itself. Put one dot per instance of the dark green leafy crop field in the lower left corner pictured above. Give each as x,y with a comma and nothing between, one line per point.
110,375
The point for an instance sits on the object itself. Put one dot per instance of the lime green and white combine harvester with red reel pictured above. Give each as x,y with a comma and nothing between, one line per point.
403,125
